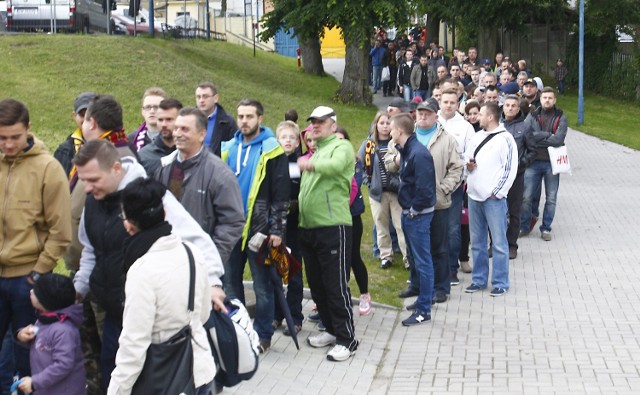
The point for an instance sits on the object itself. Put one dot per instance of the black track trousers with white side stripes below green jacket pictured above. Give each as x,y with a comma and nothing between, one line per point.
327,261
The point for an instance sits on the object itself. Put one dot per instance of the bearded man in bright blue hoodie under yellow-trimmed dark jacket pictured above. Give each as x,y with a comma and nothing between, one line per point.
262,170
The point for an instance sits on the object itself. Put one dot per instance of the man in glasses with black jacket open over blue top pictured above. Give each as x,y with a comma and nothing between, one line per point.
220,126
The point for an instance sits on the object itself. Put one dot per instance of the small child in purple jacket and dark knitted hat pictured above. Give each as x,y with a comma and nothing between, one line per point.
57,363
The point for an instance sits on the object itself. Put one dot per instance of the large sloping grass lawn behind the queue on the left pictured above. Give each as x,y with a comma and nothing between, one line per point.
48,71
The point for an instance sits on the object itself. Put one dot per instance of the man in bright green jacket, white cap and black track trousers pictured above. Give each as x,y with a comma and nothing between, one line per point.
325,233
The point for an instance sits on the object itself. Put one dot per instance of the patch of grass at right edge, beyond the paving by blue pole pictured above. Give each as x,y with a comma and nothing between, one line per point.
606,118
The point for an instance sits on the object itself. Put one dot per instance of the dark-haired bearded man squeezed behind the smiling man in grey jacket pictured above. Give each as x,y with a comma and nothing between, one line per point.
163,144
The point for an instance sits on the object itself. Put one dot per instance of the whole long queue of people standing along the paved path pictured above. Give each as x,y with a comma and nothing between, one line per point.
457,159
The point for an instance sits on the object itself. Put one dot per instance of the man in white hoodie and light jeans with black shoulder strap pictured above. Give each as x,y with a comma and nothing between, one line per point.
492,163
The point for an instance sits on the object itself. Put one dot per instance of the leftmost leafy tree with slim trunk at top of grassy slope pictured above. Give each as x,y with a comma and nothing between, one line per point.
307,20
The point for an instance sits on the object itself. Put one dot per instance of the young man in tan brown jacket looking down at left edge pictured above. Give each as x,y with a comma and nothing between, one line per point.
34,221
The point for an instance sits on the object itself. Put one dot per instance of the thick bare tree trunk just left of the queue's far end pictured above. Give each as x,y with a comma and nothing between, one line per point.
354,87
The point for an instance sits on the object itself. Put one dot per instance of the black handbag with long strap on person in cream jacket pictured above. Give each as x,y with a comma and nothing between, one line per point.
168,368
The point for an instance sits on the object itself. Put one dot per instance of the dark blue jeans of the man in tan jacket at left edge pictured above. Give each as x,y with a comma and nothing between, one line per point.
16,312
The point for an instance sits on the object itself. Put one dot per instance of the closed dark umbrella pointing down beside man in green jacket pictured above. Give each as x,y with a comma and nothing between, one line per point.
283,266
